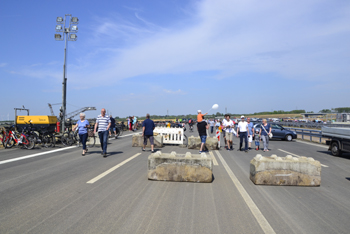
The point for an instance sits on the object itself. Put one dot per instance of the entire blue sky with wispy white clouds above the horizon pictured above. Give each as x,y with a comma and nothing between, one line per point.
136,57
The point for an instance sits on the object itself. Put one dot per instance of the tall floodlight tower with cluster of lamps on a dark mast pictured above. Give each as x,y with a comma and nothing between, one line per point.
67,34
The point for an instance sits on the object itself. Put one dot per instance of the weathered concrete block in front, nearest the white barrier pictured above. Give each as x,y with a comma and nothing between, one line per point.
180,167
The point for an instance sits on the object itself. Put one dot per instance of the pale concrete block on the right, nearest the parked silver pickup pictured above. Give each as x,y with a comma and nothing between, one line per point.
288,170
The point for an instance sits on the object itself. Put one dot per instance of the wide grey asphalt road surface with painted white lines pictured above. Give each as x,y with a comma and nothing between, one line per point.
50,193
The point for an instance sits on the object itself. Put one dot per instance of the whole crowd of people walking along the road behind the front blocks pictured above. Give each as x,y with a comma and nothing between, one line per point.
105,125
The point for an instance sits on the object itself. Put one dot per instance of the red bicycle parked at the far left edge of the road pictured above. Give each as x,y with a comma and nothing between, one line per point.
27,139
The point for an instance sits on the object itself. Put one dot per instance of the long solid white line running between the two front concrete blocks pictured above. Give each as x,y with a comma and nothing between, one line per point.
264,224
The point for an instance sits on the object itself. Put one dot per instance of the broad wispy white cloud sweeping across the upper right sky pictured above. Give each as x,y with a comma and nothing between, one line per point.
288,38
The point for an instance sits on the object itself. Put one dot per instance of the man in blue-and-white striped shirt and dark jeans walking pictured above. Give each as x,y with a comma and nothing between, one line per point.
103,123
